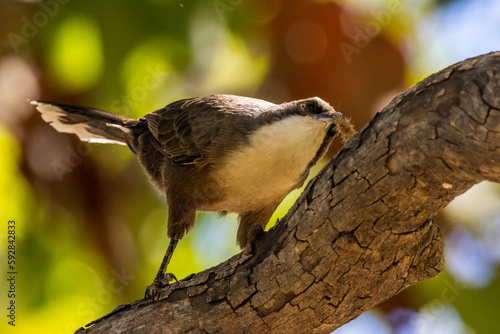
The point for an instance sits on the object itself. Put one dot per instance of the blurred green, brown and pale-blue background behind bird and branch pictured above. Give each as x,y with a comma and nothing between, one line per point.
90,229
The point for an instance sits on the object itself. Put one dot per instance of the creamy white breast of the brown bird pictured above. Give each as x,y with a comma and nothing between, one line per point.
267,169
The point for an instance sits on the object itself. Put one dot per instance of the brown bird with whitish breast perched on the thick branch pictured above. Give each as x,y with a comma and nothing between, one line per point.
221,153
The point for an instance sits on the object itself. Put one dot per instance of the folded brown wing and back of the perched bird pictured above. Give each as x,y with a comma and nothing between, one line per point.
191,131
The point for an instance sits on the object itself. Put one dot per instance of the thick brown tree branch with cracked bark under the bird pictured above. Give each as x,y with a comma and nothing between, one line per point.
361,232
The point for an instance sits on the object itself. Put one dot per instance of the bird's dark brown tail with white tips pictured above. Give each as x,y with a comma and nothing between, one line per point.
92,125
